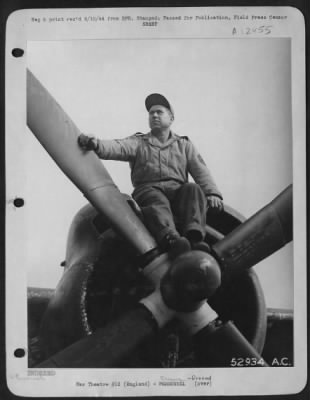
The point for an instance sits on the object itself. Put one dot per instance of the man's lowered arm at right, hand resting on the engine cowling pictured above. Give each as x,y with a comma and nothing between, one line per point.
202,176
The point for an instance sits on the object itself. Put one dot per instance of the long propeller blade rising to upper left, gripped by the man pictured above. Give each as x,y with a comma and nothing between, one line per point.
58,135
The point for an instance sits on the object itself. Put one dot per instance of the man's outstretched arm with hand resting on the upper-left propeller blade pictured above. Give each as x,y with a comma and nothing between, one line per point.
118,149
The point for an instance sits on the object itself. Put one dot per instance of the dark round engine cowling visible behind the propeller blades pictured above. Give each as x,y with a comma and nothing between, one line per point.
102,281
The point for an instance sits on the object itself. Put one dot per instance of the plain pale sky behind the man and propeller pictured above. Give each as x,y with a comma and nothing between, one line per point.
231,97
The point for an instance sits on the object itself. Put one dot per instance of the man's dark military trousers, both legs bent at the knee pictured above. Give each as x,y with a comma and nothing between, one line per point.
170,207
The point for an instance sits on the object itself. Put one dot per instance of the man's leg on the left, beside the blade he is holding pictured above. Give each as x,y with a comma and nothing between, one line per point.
159,219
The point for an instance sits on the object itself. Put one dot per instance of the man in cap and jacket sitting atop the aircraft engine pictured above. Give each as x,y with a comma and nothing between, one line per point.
174,209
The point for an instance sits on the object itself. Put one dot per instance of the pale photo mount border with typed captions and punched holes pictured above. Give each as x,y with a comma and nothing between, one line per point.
22,28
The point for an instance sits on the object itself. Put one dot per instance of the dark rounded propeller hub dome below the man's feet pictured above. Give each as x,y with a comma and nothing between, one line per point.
192,278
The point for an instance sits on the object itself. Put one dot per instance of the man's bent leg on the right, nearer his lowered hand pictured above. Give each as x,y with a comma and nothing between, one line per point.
190,208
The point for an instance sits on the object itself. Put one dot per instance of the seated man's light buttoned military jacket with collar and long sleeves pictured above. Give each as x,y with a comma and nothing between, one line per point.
152,161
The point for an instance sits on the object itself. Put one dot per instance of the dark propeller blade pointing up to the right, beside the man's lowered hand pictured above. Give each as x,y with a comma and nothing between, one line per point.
257,238
